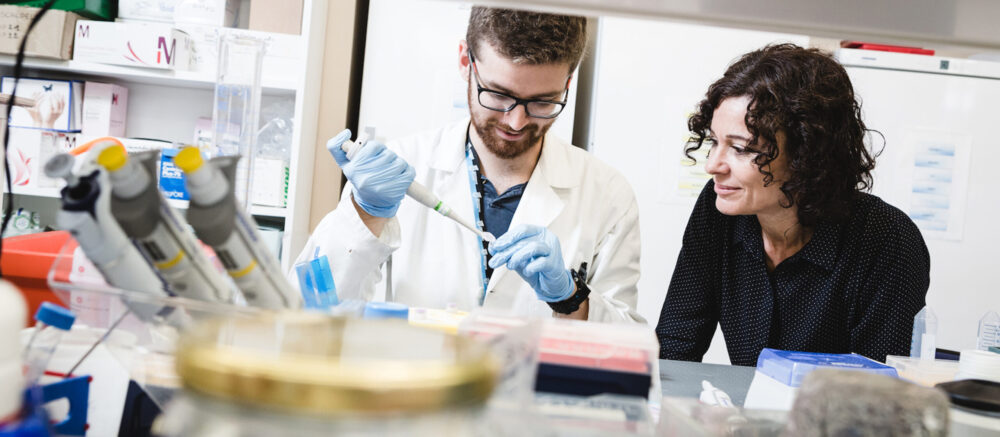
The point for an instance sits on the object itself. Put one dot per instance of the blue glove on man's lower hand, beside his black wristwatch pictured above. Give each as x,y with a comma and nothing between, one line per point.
533,252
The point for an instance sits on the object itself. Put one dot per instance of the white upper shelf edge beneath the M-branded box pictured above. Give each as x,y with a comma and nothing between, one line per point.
150,76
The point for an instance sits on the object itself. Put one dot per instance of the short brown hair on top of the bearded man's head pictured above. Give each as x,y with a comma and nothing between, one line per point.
528,37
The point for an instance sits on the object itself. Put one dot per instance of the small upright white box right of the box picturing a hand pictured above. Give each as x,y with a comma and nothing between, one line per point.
104,108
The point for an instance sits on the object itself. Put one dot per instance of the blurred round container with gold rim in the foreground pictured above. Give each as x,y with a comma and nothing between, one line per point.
308,374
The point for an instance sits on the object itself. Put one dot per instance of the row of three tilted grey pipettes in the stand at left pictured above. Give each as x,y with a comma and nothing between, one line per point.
139,242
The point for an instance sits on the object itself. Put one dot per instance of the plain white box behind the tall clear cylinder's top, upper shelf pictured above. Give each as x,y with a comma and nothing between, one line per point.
283,58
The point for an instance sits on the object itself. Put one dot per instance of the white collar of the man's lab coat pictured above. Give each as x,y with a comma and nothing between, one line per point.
554,162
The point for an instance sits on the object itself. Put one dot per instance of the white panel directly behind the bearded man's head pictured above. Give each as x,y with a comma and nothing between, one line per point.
411,80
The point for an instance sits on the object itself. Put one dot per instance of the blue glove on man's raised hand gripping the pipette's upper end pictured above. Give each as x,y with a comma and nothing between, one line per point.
379,176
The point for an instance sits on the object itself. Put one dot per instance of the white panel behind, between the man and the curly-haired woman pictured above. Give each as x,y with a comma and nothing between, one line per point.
650,76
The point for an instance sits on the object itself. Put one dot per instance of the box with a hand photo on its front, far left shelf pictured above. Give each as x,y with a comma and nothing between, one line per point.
57,103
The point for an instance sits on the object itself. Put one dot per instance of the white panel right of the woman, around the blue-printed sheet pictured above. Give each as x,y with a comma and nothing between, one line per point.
909,106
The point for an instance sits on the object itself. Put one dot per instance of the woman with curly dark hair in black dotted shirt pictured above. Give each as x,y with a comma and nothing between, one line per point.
784,248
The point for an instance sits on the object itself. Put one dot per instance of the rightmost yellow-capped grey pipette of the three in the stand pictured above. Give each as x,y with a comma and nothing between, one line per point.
220,222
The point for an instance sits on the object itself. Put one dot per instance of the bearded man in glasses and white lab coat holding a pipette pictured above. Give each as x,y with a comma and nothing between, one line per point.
567,224
